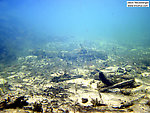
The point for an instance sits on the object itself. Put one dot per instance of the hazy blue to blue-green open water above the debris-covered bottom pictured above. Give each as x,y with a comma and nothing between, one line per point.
79,19
